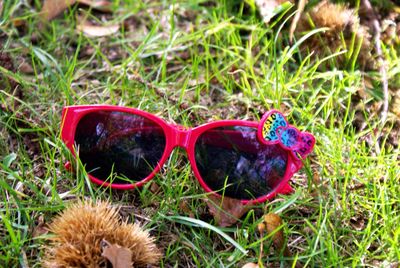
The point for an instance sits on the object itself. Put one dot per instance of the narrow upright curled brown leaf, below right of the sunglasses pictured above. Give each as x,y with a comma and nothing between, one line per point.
272,223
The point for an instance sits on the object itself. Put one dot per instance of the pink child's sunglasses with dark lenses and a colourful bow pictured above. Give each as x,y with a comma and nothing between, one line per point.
124,148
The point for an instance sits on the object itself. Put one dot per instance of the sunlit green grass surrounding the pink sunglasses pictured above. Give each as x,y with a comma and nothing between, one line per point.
222,62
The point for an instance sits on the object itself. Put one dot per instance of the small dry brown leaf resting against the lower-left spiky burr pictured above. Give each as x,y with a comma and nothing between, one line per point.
120,257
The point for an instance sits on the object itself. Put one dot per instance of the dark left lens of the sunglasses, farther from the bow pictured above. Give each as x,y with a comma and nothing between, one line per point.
124,144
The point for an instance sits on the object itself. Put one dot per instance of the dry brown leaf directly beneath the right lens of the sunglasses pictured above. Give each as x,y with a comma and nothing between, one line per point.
226,211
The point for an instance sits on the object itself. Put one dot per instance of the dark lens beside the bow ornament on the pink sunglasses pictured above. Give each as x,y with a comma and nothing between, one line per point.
233,162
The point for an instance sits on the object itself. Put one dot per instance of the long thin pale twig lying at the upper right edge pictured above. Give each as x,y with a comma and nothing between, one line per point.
381,61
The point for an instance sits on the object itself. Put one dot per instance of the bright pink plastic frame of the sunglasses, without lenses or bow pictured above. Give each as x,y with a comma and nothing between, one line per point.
176,135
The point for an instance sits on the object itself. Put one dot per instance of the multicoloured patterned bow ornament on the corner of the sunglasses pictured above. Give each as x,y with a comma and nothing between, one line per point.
275,129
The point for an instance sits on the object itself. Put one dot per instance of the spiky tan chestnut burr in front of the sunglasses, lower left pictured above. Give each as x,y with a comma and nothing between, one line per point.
79,230
